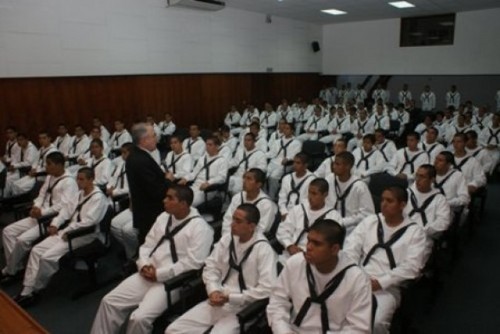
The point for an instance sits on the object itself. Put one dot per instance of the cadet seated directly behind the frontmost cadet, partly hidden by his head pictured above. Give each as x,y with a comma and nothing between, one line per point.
293,230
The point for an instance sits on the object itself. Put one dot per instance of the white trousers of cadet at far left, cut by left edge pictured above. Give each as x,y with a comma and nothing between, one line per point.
17,241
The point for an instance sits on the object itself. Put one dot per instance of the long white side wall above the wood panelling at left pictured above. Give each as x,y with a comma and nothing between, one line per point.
112,37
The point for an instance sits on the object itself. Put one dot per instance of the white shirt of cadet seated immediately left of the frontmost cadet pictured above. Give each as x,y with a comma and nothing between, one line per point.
259,270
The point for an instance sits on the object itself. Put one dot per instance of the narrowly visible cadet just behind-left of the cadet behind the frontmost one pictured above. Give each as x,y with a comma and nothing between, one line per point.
294,186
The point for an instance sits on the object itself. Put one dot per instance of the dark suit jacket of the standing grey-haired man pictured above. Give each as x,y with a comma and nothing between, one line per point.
148,186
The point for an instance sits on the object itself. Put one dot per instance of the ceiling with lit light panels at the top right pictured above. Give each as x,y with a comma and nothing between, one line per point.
357,10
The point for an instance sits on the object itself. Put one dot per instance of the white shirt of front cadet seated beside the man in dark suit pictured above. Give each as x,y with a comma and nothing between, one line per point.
192,244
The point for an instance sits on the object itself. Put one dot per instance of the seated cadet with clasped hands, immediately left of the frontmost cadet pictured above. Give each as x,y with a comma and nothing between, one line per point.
240,270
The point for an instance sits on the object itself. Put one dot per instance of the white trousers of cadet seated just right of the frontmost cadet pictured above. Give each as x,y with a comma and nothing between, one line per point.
387,303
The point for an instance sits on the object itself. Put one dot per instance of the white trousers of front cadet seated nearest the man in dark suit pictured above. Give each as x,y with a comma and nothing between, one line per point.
147,299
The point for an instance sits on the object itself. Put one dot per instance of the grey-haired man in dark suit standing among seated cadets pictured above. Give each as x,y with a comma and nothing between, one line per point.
146,179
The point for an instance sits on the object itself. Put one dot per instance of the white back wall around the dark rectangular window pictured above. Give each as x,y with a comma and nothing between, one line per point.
372,47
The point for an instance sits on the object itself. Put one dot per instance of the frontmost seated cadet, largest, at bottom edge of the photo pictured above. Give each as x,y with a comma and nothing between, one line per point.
322,290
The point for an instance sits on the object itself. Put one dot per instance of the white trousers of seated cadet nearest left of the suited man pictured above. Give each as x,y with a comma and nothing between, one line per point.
44,259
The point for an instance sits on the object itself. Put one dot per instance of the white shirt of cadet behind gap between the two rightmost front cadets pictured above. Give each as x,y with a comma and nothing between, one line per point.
358,203
